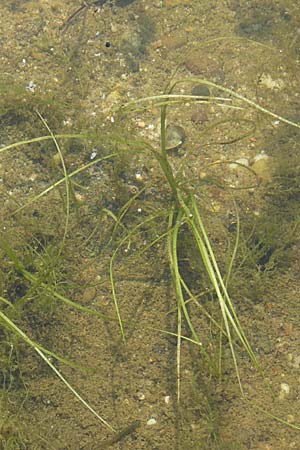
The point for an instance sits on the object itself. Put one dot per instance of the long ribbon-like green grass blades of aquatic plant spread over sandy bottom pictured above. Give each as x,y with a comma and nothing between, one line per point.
181,214
